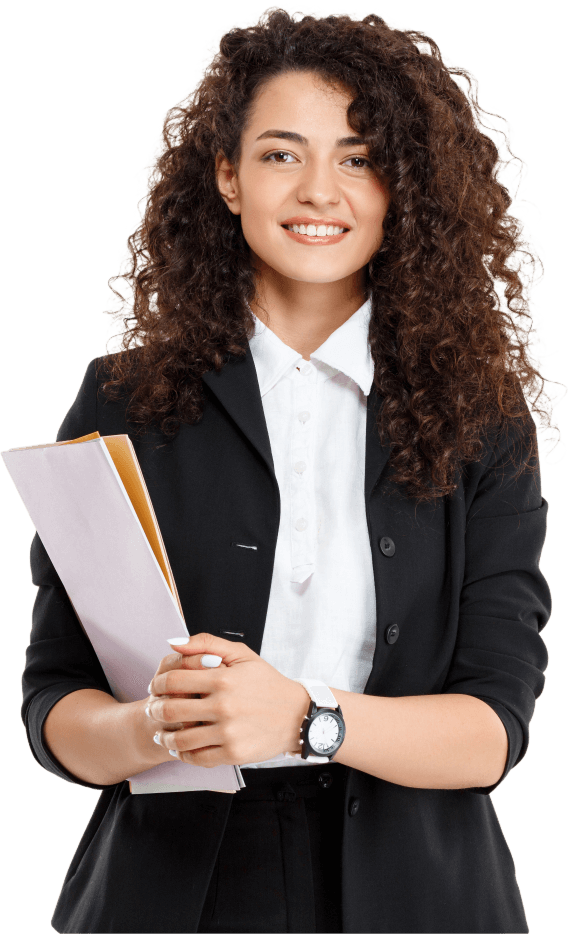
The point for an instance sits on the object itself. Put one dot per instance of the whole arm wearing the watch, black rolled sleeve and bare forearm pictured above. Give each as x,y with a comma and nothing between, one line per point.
455,739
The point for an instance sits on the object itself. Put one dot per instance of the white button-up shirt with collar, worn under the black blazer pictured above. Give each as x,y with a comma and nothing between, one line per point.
321,618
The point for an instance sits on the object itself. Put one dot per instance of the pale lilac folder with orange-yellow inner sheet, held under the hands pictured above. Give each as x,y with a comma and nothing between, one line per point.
88,501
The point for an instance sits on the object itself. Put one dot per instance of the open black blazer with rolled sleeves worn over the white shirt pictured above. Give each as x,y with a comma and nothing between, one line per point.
461,600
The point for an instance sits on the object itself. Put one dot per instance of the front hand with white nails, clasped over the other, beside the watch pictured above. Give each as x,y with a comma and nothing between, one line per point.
251,712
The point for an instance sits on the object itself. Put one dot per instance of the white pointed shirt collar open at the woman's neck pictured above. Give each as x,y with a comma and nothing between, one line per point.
346,350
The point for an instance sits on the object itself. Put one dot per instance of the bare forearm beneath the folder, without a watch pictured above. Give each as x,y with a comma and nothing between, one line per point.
100,740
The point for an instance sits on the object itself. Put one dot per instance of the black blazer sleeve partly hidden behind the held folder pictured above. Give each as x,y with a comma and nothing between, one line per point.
59,657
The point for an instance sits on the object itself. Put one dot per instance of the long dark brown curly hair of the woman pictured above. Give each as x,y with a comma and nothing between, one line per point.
450,361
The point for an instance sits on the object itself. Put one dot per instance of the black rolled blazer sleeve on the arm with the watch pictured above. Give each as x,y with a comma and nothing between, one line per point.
505,603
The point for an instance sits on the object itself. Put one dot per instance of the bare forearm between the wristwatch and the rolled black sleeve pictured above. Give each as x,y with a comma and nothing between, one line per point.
423,741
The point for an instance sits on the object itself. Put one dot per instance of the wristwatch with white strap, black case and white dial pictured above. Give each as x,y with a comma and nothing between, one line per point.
323,729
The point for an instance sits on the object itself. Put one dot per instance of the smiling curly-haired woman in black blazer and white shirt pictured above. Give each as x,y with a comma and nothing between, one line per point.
333,431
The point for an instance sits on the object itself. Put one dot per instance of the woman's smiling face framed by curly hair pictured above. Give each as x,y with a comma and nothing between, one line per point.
323,177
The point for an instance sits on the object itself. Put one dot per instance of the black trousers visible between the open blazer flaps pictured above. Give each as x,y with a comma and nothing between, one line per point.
279,864
